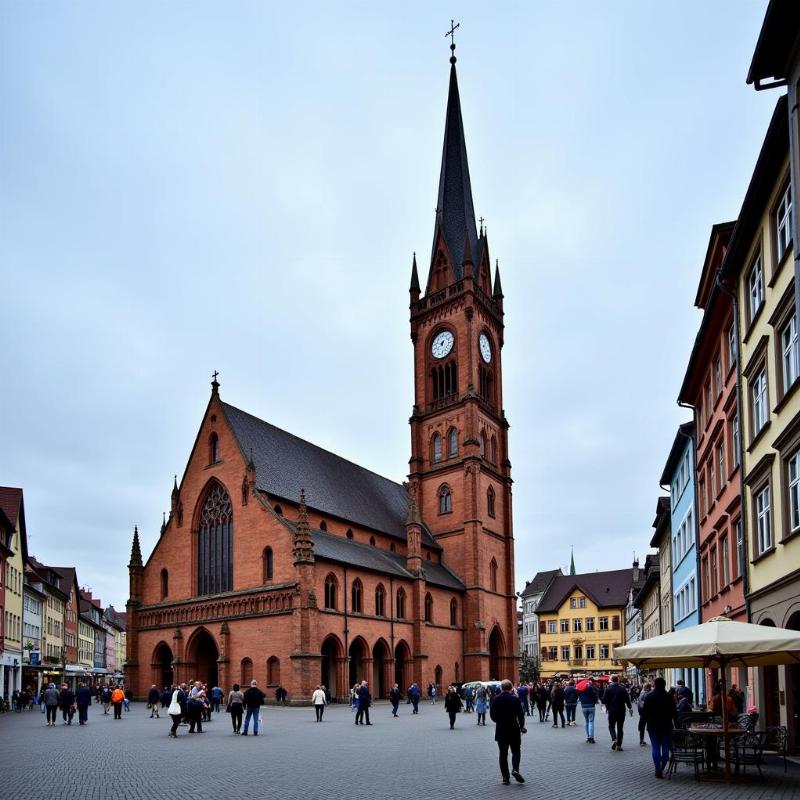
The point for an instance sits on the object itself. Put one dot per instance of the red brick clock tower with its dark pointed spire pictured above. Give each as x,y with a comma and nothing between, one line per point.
460,472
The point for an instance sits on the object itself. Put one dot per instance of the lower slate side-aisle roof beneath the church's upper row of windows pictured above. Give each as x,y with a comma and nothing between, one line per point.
329,547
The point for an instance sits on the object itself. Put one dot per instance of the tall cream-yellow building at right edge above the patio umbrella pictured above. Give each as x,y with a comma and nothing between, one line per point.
759,266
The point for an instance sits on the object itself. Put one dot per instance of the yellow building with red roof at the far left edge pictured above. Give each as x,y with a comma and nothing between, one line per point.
11,502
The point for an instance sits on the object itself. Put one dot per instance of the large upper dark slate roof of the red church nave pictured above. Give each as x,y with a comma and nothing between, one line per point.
285,464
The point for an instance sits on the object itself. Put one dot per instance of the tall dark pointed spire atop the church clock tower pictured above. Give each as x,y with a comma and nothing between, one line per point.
455,215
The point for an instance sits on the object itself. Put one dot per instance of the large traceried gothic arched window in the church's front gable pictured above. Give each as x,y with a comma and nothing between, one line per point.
215,543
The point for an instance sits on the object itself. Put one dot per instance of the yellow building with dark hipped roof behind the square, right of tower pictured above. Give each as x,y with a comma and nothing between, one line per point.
581,620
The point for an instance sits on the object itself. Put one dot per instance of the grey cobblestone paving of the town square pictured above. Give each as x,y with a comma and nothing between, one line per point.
408,757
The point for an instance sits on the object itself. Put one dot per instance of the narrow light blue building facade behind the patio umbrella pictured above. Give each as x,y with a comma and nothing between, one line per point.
679,472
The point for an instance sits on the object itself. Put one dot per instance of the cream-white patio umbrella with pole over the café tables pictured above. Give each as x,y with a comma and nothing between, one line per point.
716,644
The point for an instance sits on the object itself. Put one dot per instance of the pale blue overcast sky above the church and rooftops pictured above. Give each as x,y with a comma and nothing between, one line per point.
190,186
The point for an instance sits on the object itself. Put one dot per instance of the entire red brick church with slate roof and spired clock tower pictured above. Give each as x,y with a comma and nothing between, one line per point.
284,562
